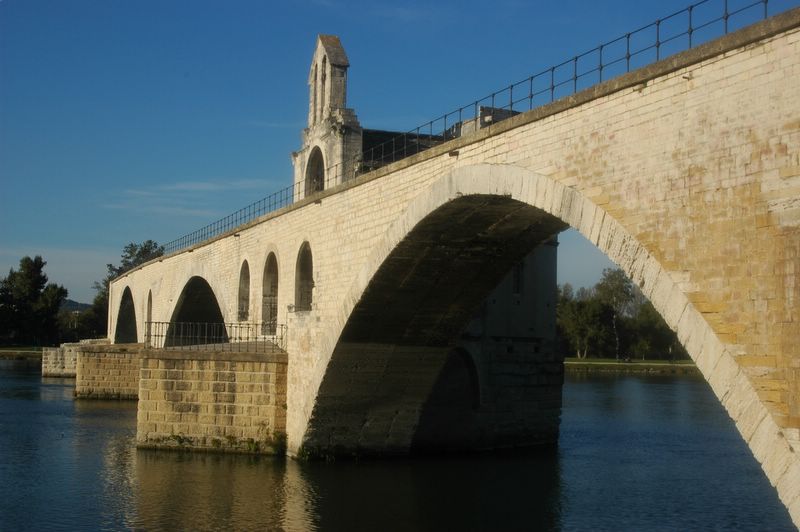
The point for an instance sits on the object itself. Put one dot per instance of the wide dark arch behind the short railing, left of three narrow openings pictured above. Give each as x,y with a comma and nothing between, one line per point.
197,318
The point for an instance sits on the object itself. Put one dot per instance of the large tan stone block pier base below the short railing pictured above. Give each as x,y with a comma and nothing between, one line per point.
213,401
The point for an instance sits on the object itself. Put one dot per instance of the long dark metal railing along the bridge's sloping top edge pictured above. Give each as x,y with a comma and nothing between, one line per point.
680,31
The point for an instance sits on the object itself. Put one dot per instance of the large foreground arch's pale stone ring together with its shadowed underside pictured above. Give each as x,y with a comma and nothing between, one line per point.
518,197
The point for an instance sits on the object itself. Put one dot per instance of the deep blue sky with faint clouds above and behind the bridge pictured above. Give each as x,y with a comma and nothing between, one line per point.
122,121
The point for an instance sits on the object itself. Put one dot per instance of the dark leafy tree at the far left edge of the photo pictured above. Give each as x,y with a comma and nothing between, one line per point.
29,305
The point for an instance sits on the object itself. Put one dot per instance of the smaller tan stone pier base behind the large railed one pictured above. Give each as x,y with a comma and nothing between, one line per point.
108,372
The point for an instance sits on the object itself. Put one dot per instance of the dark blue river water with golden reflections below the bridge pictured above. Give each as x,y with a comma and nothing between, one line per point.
636,453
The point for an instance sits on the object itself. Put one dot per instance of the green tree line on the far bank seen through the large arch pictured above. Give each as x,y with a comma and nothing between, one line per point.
613,320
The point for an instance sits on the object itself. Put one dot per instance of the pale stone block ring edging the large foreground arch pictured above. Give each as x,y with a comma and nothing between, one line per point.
522,189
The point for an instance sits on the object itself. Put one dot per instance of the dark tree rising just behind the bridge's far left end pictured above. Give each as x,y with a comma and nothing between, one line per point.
94,321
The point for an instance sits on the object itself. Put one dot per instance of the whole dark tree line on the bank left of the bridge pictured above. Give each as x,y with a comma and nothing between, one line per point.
32,311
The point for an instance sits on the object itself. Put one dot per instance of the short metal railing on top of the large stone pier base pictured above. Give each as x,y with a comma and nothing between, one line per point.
248,337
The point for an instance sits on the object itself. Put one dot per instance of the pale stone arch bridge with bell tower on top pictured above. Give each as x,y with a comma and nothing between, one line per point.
686,173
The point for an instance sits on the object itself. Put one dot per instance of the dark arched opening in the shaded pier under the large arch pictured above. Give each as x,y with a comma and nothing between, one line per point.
447,419
